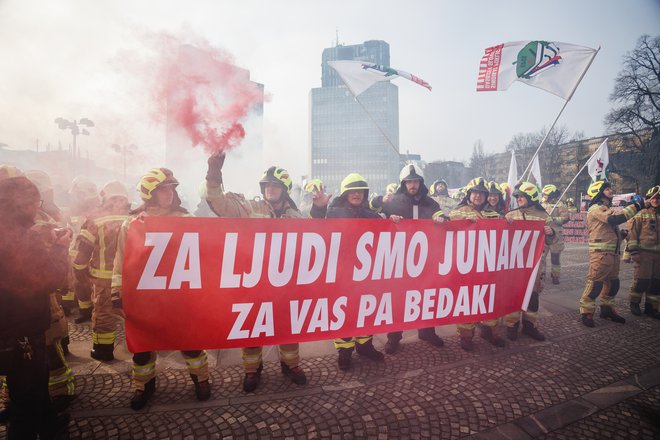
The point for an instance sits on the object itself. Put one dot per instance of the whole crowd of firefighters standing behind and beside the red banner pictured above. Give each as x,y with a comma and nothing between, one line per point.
53,262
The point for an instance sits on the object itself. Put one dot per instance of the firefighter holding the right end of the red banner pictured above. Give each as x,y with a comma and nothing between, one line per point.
529,208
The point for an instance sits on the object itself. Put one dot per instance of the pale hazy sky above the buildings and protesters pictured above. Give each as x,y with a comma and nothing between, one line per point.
73,59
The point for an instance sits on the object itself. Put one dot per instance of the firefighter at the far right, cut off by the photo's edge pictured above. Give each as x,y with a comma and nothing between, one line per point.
644,248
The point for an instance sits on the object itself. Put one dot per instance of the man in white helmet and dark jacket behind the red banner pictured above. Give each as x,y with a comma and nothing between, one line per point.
411,201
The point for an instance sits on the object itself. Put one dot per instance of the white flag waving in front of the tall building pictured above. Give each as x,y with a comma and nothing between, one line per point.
360,75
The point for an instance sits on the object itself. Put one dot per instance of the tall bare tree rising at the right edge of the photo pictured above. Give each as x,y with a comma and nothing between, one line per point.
636,107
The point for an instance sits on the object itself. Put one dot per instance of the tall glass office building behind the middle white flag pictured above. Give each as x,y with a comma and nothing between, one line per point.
346,138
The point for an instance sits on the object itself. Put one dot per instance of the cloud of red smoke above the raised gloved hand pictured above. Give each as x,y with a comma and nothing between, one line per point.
202,93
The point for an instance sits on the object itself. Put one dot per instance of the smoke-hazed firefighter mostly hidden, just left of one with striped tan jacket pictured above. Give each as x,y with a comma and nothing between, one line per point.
84,199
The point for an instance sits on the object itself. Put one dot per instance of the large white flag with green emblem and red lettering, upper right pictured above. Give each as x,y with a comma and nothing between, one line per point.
549,65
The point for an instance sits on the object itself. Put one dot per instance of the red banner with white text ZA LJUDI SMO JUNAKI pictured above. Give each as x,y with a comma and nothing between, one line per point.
194,283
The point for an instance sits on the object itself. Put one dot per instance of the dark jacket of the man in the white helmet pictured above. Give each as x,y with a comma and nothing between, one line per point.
419,206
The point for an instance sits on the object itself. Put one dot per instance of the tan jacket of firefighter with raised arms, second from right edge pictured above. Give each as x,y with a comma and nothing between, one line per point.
602,224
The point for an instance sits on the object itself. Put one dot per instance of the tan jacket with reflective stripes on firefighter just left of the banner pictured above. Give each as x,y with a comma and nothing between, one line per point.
95,250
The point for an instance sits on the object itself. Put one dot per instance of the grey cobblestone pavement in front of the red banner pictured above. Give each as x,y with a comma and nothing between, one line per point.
580,383
